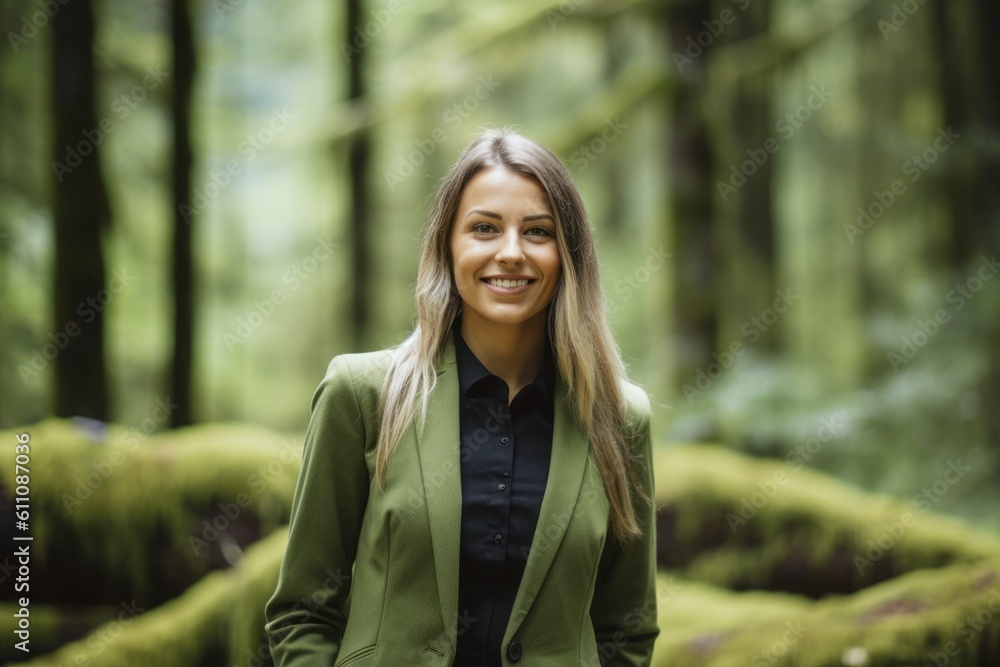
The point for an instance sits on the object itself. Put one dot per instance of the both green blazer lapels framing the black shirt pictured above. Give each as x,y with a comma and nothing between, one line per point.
440,463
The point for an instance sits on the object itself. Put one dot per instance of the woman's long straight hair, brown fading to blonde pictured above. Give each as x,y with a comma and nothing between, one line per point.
586,353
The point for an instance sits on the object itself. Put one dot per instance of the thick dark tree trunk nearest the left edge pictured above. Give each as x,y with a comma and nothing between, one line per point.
81,214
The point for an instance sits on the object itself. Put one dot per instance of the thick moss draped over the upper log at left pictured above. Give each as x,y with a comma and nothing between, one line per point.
156,490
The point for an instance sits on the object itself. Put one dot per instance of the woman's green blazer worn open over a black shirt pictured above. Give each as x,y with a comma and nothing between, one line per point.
583,599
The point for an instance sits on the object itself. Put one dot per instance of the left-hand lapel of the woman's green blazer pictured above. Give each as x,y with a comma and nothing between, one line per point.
440,467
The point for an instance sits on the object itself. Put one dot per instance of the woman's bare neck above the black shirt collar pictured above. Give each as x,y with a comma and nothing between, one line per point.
512,352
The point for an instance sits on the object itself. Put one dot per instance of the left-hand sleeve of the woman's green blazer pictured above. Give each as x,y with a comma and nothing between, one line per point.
306,616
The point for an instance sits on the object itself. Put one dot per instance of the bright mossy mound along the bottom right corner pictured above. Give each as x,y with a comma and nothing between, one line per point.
954,611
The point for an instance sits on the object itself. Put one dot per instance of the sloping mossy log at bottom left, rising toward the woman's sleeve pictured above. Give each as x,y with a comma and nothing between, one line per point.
219,616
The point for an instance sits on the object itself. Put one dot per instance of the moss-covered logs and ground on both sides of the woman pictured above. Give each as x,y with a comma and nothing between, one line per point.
162,550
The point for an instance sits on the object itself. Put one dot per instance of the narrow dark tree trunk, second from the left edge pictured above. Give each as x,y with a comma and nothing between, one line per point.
183,72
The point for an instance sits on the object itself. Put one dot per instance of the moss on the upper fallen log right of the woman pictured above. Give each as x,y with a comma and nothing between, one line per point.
739,521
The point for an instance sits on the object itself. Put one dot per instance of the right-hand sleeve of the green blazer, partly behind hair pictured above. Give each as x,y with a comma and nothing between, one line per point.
624,606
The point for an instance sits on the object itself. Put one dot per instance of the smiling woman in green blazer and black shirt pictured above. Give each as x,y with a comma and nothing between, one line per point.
489,479
